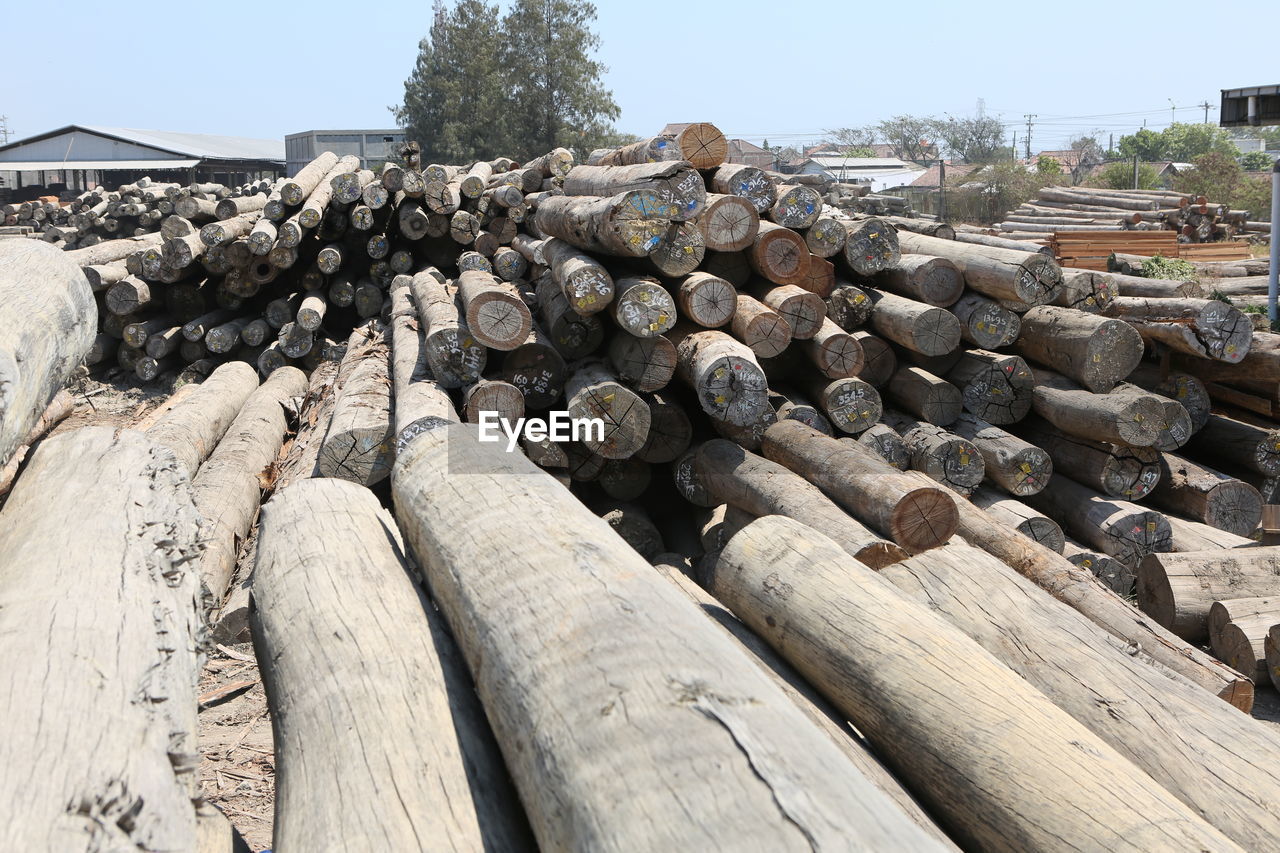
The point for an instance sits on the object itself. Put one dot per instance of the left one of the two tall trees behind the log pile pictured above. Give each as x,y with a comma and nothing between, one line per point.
455,103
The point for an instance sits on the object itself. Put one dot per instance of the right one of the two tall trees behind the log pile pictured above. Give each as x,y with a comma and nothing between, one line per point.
548,65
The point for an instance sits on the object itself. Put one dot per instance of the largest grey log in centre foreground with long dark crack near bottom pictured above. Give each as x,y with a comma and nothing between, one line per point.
651,631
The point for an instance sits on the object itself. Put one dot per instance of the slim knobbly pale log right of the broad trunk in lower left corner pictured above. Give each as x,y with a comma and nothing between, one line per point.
230,485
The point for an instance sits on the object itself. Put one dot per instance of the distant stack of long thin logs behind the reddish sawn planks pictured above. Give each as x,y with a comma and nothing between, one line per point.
1086,209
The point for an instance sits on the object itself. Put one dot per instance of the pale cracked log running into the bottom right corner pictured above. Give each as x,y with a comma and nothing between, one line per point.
1156,720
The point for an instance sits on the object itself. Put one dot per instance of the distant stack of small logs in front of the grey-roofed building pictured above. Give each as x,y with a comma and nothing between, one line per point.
130,211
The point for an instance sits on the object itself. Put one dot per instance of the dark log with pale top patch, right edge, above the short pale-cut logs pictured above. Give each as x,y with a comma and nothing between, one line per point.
1209,496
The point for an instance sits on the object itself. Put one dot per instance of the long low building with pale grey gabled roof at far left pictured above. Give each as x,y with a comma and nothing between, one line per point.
79,157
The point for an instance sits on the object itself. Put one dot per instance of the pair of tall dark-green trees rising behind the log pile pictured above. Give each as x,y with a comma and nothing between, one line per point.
519,84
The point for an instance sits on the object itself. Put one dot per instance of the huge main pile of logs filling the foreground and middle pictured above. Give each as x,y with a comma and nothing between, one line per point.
897,440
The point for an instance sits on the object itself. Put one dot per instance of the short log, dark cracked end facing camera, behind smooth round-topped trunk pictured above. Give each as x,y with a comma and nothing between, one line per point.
359,446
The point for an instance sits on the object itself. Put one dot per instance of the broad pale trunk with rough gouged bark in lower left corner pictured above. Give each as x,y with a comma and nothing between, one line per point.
100,646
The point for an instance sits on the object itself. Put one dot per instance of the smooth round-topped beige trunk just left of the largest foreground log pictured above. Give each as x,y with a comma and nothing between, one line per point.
331,564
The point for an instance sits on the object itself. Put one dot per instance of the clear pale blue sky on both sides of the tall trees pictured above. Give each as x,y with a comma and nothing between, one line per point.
760,71
